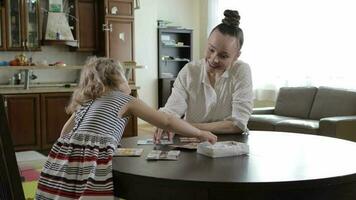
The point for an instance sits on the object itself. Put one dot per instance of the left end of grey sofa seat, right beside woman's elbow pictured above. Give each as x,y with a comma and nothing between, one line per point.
265,122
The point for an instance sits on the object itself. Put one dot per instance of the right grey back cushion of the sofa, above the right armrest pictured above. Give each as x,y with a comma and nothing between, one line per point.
331,102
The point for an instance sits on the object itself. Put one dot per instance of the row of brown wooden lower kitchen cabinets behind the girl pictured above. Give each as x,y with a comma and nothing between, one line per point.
36,120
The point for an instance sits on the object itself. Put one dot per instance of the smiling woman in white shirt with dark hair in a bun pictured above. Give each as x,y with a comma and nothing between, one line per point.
215,93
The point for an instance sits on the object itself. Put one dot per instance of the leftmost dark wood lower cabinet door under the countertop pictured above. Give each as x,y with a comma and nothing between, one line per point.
23,111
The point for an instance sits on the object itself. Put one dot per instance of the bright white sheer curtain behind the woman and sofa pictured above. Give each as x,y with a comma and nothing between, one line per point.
295,43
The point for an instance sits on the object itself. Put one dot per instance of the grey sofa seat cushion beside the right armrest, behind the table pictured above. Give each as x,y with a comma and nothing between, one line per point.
298,126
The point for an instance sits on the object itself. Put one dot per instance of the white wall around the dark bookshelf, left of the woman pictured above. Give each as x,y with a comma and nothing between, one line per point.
185,13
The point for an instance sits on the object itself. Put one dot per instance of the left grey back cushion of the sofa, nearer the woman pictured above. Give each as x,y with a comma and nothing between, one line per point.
295,101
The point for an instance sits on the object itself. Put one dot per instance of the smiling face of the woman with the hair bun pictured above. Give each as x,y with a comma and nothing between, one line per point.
222,51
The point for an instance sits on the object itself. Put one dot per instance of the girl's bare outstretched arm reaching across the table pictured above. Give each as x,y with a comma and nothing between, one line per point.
167,122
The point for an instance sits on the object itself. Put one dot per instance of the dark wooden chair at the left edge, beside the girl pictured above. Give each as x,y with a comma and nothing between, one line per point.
10,181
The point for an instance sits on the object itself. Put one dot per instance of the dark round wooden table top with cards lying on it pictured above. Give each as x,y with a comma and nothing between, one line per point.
275,157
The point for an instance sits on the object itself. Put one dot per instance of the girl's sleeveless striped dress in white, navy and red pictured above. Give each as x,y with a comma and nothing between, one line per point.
79,165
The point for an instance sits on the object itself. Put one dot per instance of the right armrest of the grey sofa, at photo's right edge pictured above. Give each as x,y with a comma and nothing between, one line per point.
343,127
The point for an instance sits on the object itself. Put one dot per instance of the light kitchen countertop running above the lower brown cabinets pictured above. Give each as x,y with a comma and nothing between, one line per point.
43,88
